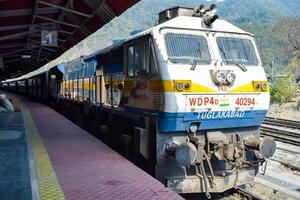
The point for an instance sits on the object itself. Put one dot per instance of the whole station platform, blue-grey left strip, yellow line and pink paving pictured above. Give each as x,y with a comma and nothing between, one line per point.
45,156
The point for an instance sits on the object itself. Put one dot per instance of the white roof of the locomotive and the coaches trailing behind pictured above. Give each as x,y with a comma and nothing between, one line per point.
184,22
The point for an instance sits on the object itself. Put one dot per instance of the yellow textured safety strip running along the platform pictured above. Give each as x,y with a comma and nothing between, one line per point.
48,184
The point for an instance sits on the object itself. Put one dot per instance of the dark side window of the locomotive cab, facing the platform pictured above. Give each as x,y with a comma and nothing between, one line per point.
140,60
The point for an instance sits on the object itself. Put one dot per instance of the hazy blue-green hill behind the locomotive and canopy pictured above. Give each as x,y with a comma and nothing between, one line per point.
255,16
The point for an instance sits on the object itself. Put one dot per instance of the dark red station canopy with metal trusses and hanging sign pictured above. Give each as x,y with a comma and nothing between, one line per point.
34,32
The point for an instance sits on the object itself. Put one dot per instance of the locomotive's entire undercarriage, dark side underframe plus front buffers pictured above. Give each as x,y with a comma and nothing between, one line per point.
205,161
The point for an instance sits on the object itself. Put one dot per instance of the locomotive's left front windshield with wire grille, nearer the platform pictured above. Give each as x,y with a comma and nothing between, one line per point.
187,49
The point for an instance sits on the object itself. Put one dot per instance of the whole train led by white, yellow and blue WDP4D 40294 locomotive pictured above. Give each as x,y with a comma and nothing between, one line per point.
188,95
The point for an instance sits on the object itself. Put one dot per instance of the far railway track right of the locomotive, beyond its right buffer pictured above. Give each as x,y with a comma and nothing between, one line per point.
286,131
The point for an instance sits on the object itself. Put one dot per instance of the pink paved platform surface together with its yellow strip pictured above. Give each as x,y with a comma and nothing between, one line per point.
72,164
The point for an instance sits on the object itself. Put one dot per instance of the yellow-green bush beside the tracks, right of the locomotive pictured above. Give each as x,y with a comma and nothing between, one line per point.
283,90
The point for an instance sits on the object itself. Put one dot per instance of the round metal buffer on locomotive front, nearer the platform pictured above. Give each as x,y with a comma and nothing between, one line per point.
186,154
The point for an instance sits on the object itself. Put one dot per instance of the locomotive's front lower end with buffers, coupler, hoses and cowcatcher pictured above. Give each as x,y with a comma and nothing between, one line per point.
210,161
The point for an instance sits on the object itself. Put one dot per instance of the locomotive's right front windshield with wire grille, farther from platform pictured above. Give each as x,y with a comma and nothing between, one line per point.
234,50
